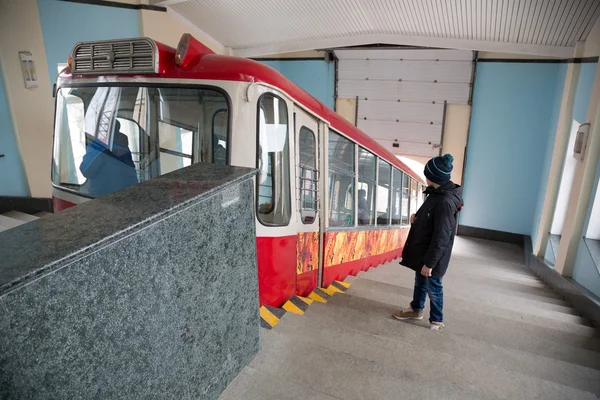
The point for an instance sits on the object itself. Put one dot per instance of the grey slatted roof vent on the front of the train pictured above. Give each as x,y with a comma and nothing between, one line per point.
123,56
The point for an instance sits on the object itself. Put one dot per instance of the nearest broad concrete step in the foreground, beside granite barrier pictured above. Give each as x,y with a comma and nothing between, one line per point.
389,369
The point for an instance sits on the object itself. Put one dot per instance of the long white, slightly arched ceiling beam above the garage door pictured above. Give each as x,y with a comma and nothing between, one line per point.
421,41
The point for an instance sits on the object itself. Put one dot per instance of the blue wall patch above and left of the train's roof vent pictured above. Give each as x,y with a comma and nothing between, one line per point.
65,23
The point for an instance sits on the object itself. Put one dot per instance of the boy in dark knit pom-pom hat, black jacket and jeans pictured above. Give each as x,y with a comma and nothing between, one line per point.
429,243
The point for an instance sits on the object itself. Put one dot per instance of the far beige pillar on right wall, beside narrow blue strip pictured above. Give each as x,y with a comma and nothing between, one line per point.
561,141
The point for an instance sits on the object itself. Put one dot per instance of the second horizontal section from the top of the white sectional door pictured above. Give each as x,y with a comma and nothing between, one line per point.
442,71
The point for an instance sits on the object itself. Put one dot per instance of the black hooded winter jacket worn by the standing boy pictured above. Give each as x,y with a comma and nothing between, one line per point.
431,236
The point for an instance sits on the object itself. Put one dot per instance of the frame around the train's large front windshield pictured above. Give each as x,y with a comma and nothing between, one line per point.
125,84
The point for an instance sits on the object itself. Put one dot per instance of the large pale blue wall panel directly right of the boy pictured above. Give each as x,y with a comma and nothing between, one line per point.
513,110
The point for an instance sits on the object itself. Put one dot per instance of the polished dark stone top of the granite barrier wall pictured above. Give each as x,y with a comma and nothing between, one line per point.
33,249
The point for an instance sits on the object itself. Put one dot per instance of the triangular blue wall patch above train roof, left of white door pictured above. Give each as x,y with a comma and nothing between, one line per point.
317,77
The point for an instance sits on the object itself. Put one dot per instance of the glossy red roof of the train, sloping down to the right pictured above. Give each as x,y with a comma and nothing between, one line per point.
210,66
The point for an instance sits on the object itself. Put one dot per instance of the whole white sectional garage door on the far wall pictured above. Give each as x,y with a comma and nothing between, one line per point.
401,93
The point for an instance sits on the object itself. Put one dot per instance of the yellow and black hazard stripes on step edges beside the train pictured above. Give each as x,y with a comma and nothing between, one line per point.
270,316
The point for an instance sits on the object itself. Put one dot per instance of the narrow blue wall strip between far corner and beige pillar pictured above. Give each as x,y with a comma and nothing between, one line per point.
562,72
